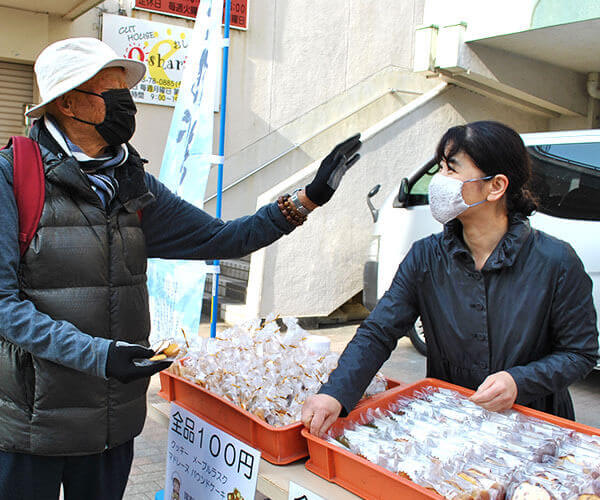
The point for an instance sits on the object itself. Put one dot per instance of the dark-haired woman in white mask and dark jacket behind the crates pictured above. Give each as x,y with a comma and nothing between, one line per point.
506,309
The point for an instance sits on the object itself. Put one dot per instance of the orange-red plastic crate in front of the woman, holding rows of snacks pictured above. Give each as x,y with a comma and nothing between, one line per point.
373,482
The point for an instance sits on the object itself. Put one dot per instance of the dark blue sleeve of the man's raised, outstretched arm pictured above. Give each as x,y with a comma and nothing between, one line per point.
176,229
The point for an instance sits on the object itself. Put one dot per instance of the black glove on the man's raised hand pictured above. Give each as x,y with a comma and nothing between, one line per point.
332,169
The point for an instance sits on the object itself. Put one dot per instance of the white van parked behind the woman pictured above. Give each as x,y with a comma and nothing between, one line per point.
566,181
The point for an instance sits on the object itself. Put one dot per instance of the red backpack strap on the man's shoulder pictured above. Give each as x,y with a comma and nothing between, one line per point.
28,186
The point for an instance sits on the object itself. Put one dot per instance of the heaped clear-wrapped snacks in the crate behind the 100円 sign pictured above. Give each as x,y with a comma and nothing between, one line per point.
262,370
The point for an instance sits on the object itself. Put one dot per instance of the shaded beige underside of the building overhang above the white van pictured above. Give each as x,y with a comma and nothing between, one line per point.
575,46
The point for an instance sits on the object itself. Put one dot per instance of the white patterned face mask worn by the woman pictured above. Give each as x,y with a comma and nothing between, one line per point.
445,197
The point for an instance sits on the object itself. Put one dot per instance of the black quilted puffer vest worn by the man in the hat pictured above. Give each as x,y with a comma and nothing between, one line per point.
86,266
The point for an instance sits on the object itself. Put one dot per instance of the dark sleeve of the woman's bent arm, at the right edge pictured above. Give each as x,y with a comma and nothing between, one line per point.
574,334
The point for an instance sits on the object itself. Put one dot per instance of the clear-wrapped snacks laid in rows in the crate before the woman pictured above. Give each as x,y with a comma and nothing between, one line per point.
447,444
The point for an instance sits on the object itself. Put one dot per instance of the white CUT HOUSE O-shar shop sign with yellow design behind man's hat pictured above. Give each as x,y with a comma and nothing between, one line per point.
162,47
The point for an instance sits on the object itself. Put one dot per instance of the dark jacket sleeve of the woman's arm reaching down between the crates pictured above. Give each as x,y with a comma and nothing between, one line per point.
378,335
